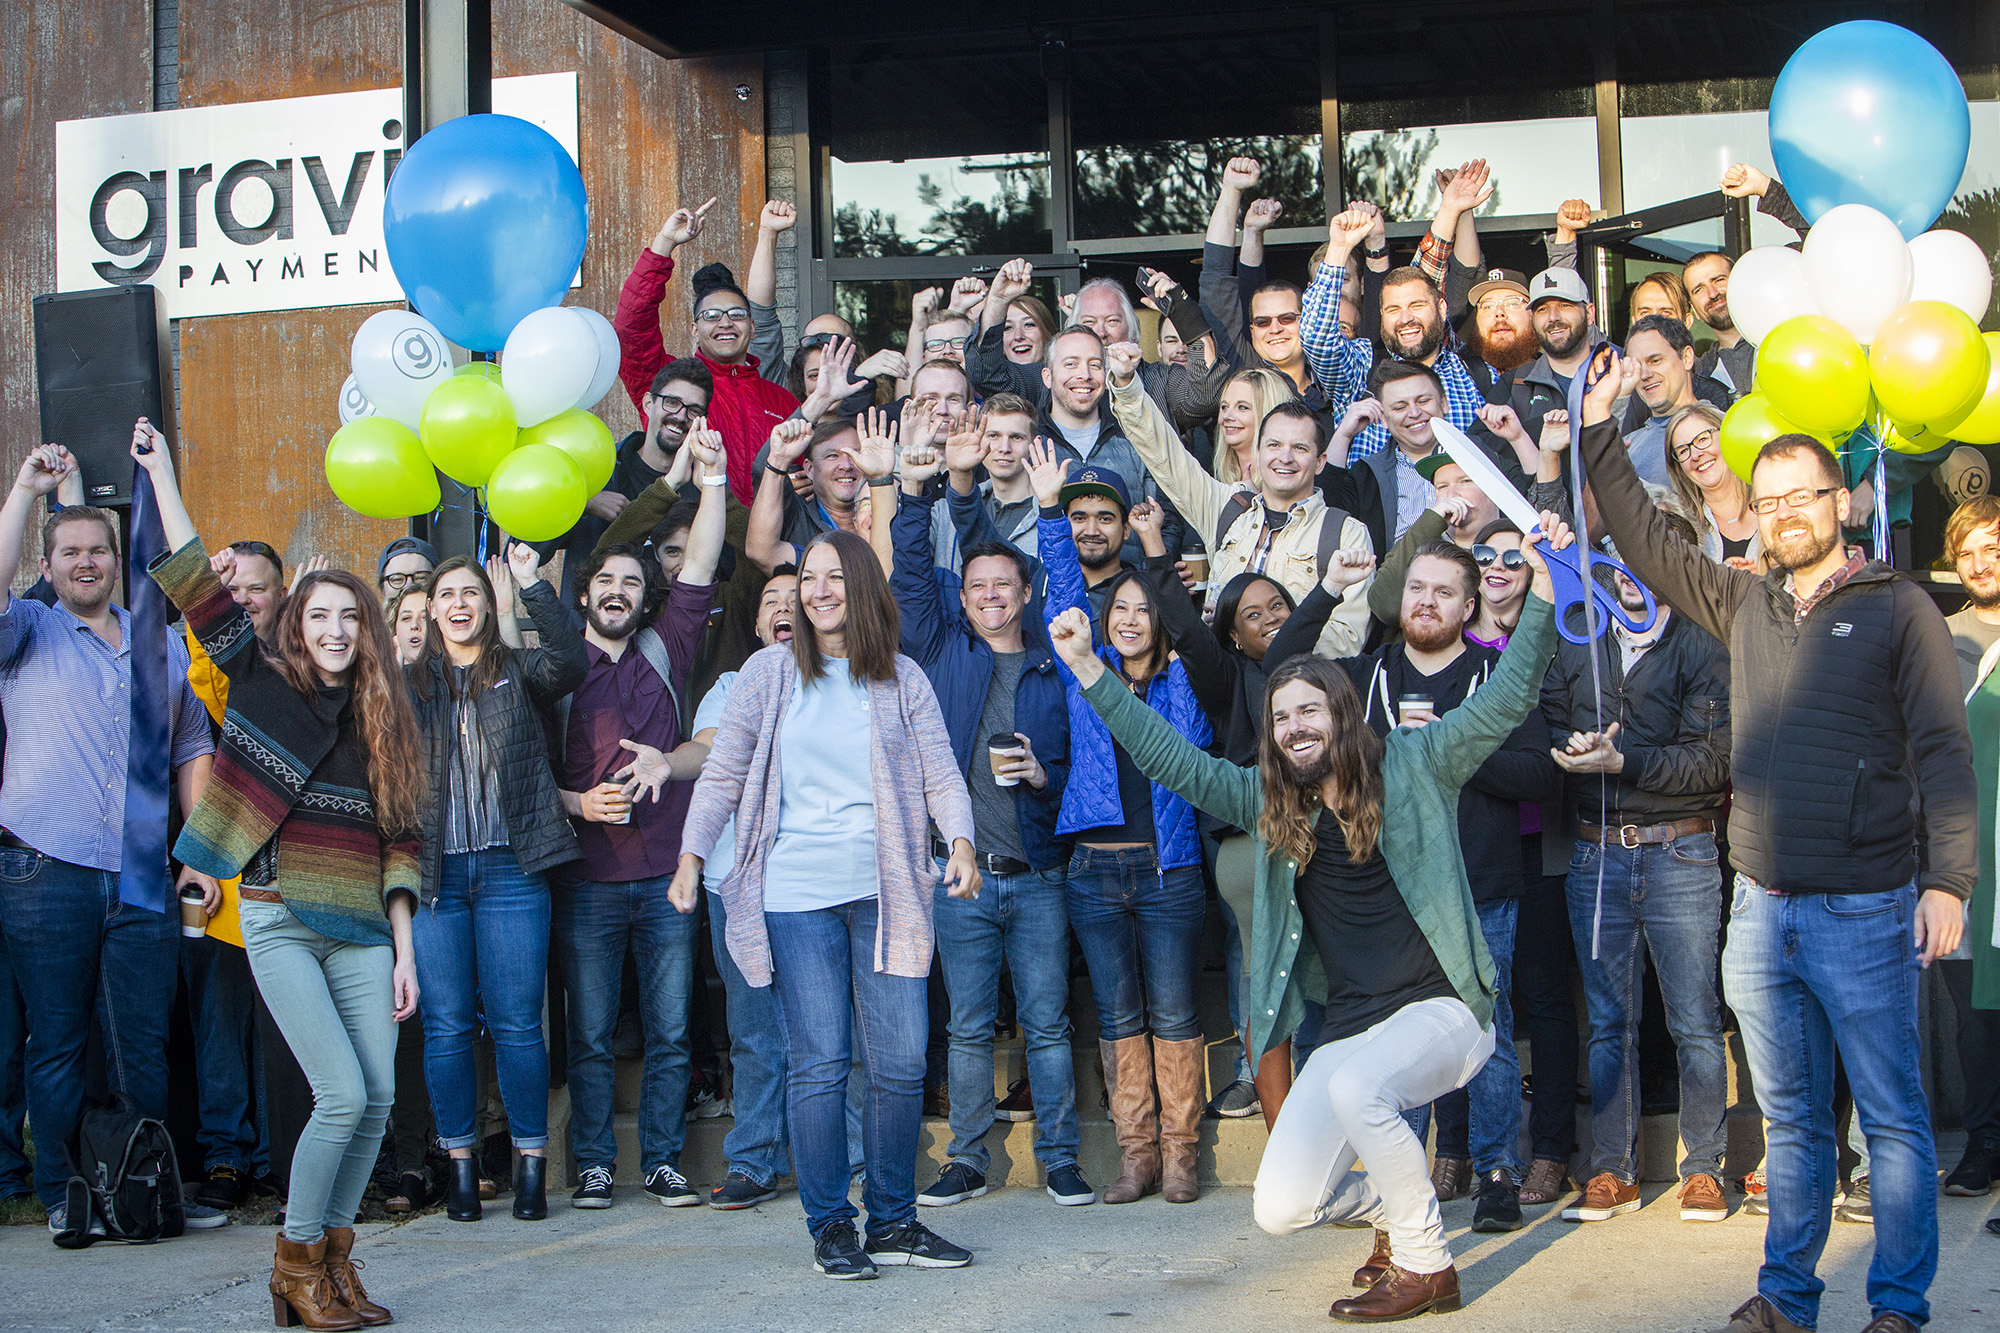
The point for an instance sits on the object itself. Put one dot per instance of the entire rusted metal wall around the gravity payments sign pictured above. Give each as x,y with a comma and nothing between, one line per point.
257,391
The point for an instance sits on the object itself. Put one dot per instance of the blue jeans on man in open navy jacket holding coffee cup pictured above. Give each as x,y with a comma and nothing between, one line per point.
1019,920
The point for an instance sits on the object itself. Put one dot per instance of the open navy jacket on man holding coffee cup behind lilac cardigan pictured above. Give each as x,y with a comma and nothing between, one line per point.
961,668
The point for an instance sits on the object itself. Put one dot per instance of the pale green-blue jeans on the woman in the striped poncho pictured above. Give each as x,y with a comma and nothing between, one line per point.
335,1006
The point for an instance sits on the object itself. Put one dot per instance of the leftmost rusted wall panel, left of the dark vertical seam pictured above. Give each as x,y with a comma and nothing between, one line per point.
59,61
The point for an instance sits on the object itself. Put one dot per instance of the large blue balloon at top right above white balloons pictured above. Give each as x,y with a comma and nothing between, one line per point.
1869,113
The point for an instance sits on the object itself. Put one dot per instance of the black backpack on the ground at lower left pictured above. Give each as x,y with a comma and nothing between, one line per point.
129,1176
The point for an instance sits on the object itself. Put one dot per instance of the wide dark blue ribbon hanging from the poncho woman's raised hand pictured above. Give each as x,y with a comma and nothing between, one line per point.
143,868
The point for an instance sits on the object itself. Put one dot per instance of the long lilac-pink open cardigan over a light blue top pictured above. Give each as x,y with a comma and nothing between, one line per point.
917,782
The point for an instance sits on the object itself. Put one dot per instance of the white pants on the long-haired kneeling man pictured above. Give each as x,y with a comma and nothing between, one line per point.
1347,1110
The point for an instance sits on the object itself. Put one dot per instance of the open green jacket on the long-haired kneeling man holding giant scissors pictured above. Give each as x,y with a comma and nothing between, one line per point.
1423,772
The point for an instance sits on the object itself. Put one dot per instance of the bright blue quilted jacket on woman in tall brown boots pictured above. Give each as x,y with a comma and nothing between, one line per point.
1093,798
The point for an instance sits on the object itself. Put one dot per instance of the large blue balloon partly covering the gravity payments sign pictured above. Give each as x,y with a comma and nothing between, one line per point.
485,221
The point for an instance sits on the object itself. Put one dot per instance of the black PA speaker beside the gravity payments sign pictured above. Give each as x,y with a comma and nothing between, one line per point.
101,363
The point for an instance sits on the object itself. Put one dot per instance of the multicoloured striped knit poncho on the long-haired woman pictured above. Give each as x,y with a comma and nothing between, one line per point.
293,768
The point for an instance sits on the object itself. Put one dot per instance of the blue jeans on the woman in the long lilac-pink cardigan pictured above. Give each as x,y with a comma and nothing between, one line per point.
837,1006
